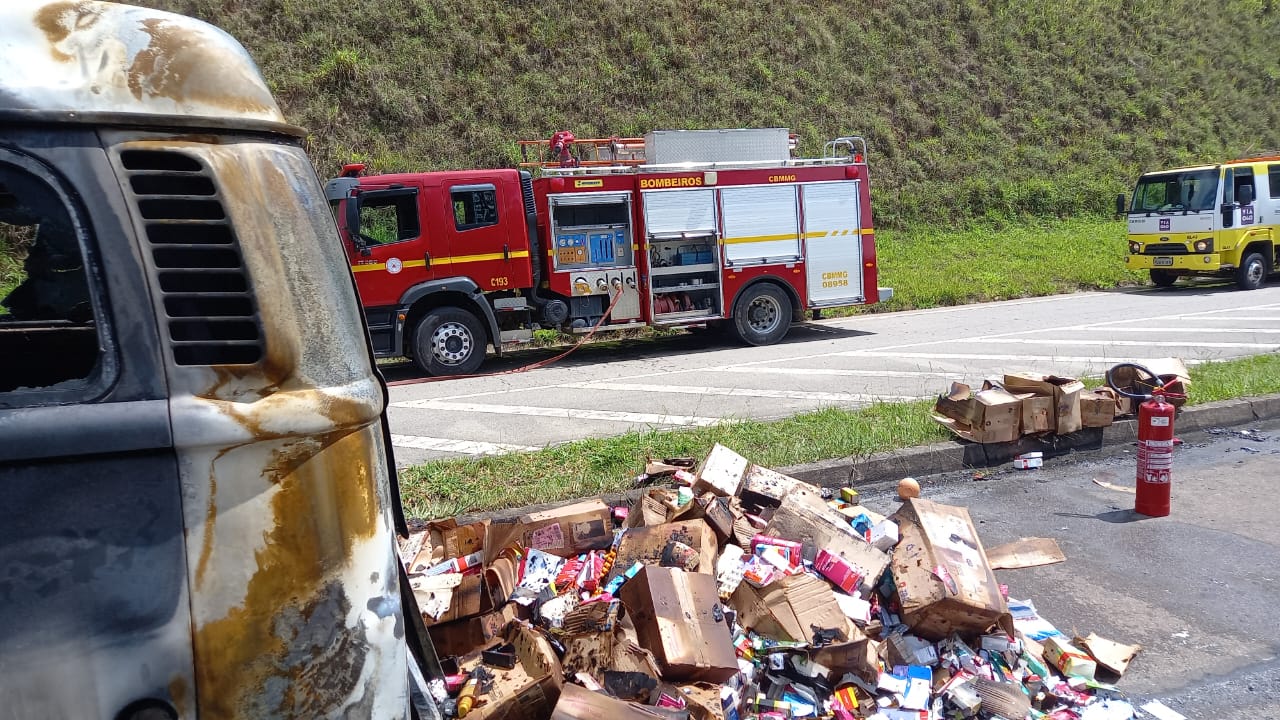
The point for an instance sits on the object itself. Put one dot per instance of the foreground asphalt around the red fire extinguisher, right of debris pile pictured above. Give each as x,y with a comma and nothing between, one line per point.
1196,590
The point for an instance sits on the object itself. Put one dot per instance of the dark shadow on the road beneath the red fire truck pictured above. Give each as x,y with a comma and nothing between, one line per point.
601,352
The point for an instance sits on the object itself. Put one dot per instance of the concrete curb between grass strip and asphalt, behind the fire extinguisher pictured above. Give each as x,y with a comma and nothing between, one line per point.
962,455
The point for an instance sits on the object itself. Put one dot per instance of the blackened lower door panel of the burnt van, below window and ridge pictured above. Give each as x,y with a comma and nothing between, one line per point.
93,585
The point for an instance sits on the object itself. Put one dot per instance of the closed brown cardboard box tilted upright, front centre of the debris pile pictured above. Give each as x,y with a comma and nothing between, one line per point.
678,617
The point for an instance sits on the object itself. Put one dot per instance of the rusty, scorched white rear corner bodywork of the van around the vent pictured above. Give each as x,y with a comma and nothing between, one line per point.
286,491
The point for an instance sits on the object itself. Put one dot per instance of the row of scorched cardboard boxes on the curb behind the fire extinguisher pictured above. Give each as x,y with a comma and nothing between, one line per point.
1034,404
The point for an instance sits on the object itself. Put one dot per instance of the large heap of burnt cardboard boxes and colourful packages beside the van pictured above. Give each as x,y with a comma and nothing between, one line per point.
740,593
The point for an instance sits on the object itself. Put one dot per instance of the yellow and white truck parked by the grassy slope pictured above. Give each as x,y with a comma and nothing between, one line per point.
1215,221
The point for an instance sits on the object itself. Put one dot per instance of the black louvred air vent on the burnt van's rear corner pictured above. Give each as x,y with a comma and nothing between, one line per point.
209,303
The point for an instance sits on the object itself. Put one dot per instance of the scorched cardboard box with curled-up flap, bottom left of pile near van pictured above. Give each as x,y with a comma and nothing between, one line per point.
529,690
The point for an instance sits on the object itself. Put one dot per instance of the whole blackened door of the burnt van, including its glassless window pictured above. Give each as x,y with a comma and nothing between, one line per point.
94,591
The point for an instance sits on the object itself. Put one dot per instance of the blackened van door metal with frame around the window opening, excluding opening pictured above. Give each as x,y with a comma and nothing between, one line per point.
93,562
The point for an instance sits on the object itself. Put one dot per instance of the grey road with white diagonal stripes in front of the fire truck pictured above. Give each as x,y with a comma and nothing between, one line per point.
702,380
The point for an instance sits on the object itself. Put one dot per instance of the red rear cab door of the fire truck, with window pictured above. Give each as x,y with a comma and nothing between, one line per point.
486,226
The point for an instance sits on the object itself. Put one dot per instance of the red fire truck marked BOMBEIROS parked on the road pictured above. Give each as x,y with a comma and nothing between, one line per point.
676,229
